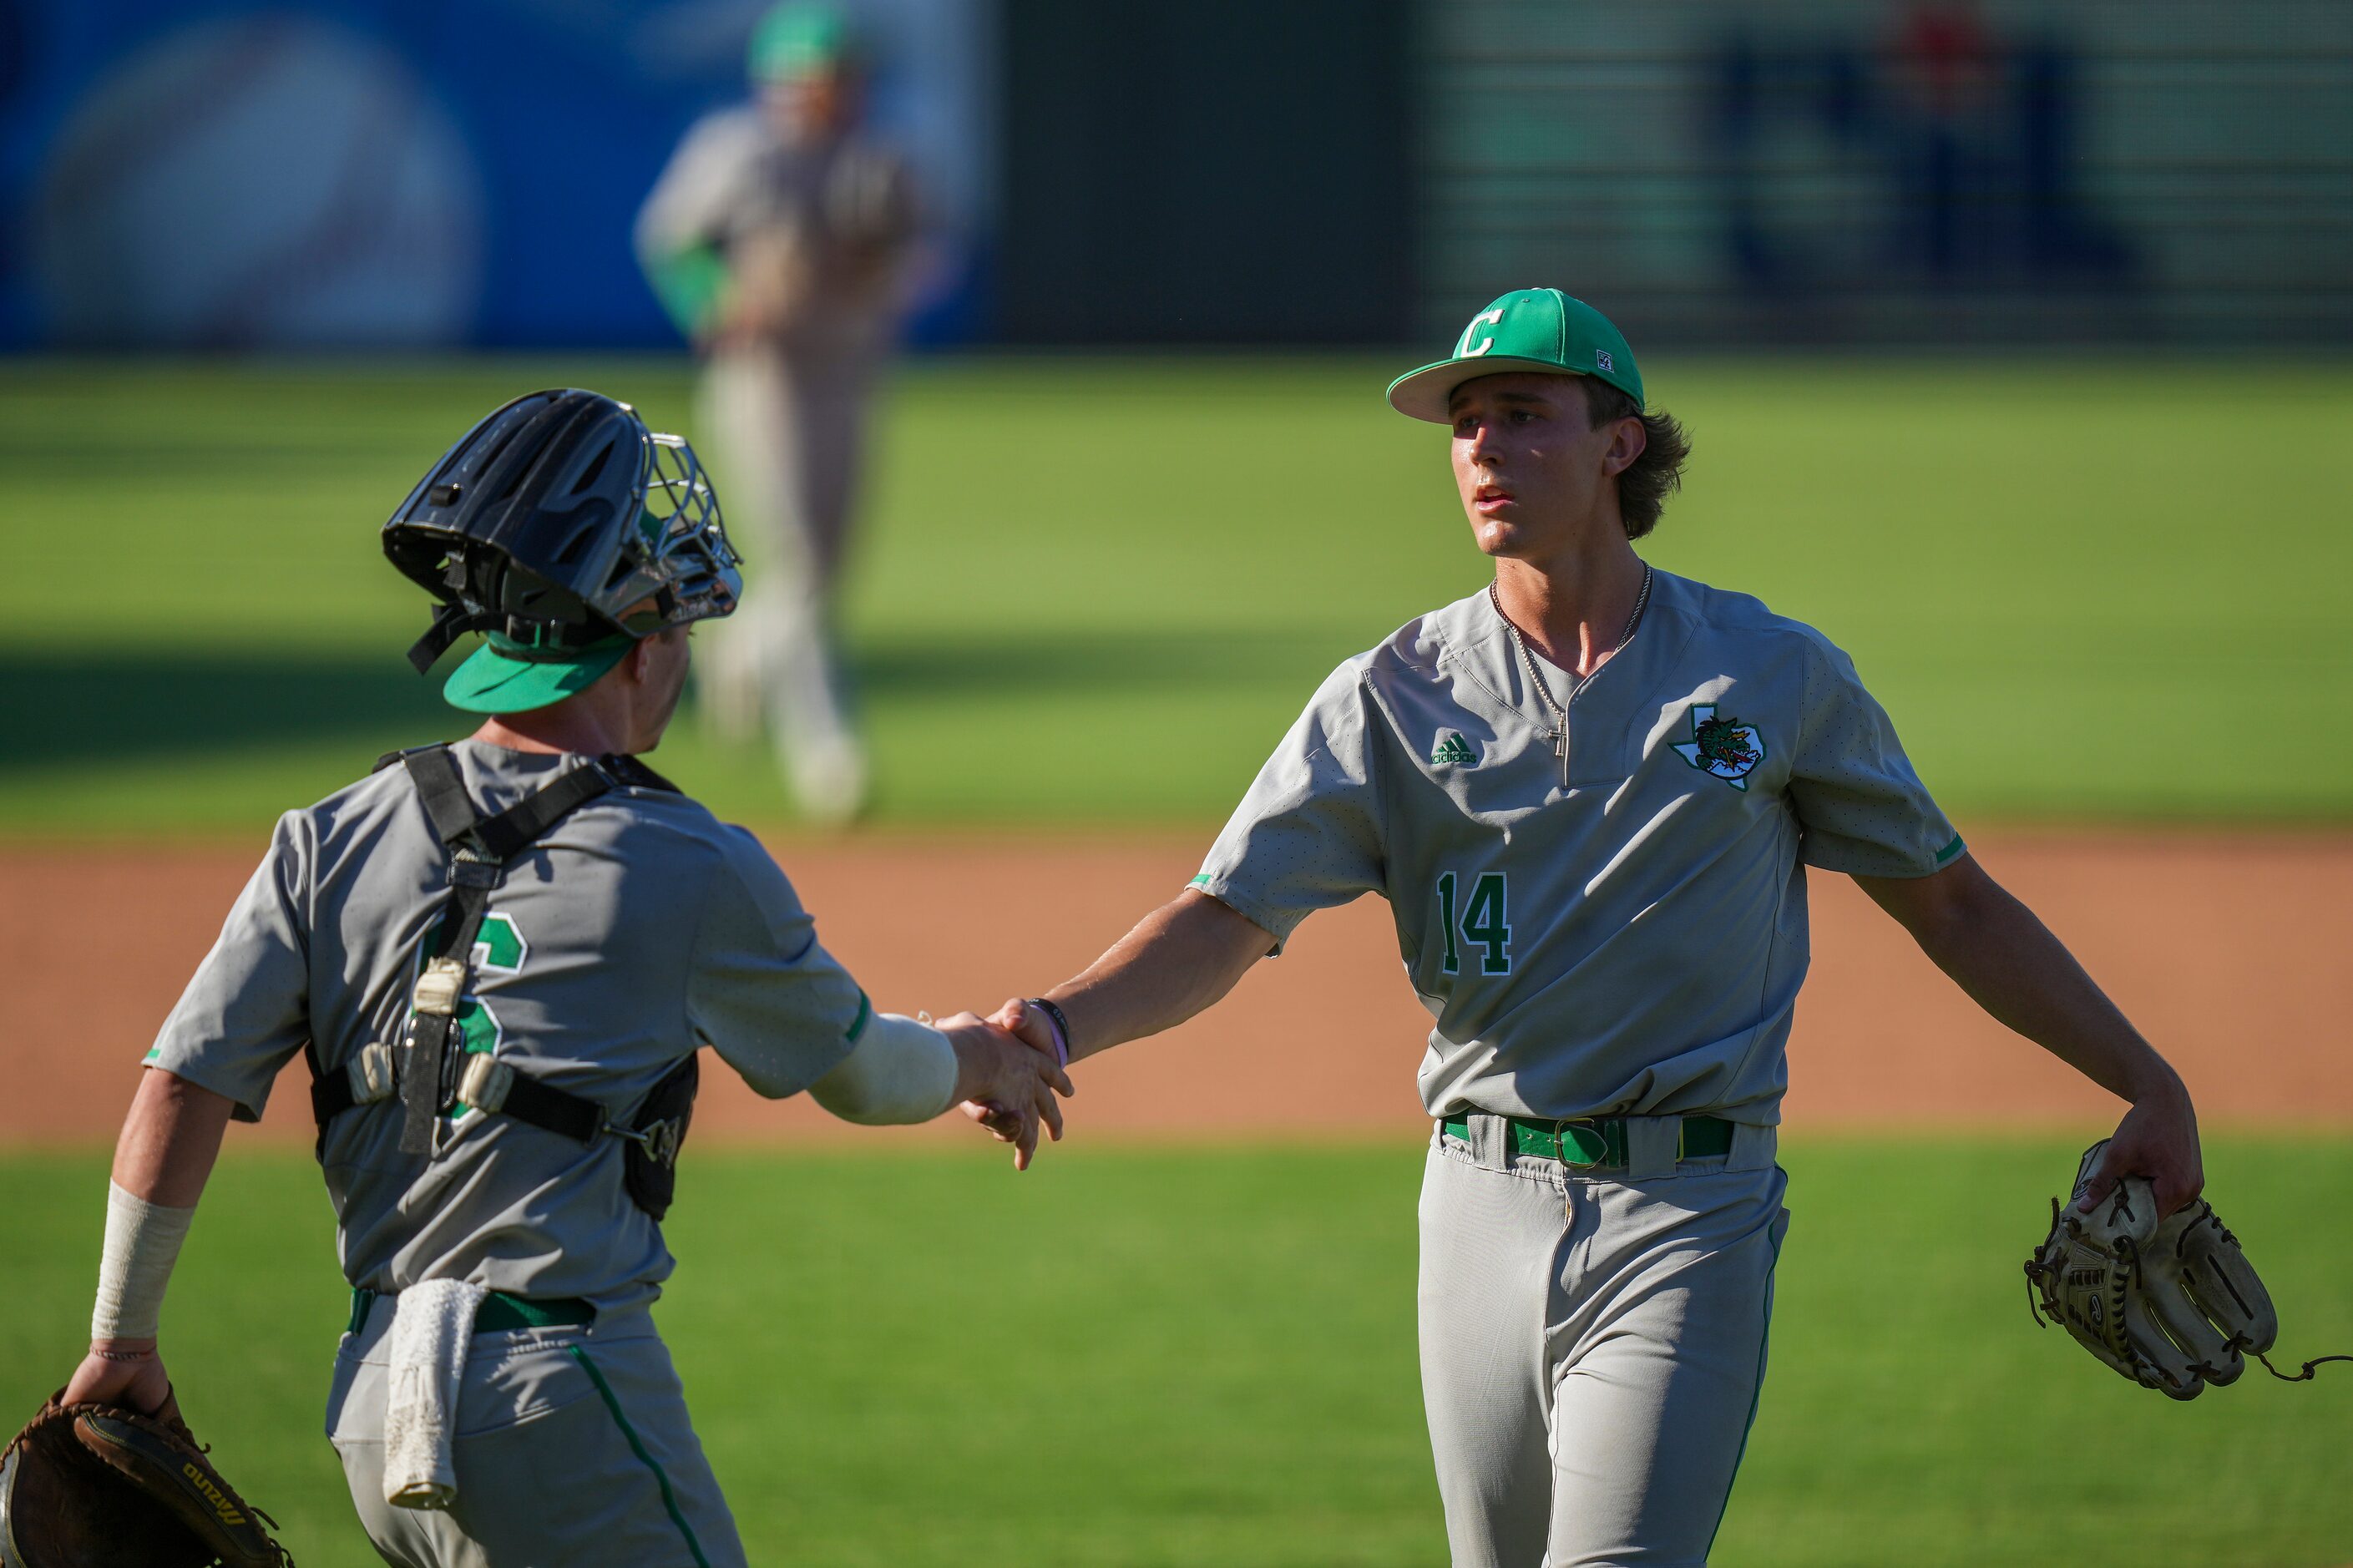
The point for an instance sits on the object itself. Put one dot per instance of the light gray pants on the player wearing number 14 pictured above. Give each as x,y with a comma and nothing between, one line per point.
1594,1346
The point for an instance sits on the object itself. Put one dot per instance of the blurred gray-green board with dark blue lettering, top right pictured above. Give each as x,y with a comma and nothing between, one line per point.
1917,173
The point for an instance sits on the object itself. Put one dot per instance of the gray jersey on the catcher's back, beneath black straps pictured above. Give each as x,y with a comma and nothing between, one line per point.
629,936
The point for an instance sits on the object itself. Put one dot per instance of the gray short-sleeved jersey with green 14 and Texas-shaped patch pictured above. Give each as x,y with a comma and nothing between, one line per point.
1608,922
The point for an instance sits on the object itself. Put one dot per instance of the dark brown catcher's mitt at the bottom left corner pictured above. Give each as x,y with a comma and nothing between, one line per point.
93,1487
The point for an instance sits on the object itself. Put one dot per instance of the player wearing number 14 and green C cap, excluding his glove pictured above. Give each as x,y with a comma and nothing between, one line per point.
1592,795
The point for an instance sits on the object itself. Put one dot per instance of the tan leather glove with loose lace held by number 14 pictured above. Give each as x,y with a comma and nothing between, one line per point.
2168,1303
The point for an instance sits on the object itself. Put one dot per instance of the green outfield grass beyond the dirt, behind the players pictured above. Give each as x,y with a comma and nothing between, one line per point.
1100,590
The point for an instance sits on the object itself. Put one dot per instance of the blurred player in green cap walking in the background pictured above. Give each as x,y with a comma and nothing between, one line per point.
780,239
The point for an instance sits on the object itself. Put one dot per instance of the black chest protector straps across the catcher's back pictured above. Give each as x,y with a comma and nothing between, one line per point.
432,1072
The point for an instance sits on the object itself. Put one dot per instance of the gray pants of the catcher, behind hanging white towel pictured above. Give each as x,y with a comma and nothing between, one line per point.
573,1451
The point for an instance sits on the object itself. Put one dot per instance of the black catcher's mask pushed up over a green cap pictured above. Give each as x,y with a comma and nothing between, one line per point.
564,531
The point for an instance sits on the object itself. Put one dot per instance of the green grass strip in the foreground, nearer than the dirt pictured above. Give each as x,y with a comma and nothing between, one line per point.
1208,1357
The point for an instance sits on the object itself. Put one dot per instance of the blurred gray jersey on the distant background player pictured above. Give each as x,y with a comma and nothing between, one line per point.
836,213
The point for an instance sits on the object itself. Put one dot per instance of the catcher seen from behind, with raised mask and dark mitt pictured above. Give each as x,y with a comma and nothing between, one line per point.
500,962
